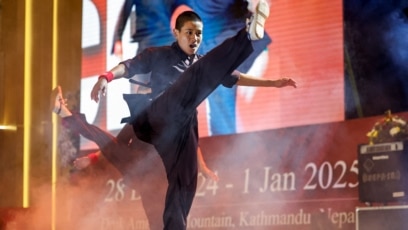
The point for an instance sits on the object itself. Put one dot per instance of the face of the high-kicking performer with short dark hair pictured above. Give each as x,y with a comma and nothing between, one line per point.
189,36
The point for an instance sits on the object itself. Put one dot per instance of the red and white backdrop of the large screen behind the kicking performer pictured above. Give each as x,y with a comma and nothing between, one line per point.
307,45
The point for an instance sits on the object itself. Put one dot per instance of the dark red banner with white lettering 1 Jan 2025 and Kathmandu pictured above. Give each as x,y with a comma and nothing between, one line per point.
292,178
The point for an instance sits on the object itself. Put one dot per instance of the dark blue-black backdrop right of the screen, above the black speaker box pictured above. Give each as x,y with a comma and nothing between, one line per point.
376,57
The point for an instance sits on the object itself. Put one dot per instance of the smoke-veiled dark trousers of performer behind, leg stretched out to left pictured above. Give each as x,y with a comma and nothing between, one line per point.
138,162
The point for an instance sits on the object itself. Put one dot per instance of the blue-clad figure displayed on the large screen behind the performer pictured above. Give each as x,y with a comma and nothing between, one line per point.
222,19
